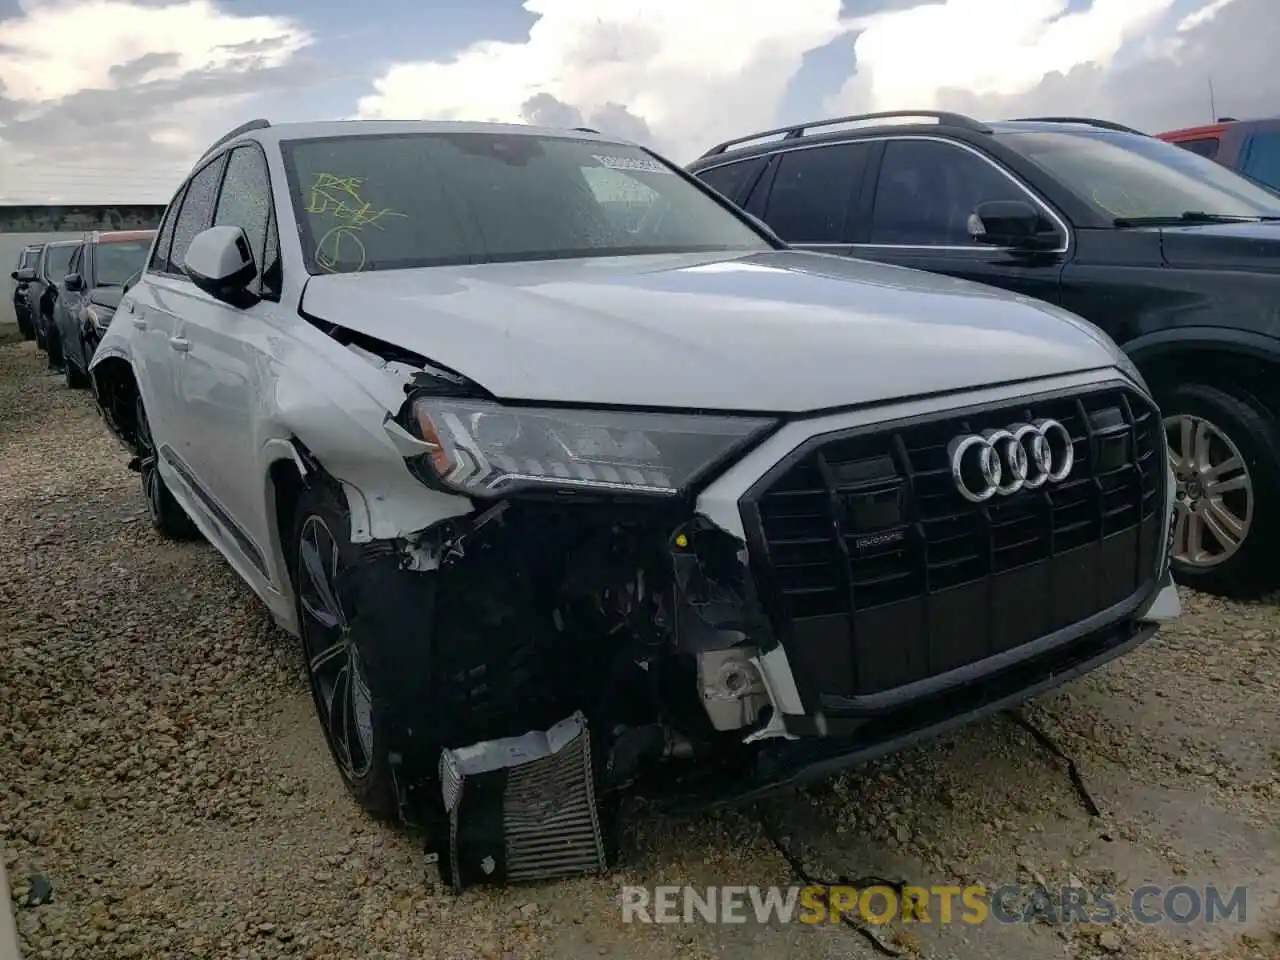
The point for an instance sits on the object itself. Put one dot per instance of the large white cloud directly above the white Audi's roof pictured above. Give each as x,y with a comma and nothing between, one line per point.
675,74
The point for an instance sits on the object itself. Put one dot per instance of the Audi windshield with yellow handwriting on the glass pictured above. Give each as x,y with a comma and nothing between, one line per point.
388,202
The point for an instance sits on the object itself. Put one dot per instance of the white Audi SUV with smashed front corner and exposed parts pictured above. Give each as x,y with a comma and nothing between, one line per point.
516,463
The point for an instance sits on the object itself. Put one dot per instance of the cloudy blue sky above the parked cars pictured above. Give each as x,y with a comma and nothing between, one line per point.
113,100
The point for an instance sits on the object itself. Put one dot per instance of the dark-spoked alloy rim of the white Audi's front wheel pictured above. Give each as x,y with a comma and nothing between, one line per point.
333,661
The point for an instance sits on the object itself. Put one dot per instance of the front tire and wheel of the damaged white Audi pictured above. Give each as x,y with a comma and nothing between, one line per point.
351,715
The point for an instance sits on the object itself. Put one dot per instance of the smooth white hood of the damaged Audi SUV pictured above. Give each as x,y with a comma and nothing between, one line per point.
774,332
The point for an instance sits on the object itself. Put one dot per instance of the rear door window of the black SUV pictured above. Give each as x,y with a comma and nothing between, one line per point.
813,190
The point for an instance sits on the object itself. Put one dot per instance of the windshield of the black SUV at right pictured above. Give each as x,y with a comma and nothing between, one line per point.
1135,177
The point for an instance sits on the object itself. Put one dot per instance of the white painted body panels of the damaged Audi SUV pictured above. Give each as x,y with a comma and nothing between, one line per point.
787,333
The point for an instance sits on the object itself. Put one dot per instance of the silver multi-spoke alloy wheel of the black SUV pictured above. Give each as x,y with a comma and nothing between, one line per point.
1214,492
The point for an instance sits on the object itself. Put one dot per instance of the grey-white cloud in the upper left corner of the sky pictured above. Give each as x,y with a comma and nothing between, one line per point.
85,117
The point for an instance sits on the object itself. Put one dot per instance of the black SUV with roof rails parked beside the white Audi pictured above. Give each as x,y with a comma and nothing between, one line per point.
1173,255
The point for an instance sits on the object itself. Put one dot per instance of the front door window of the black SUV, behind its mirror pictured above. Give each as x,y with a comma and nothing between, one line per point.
927,190
